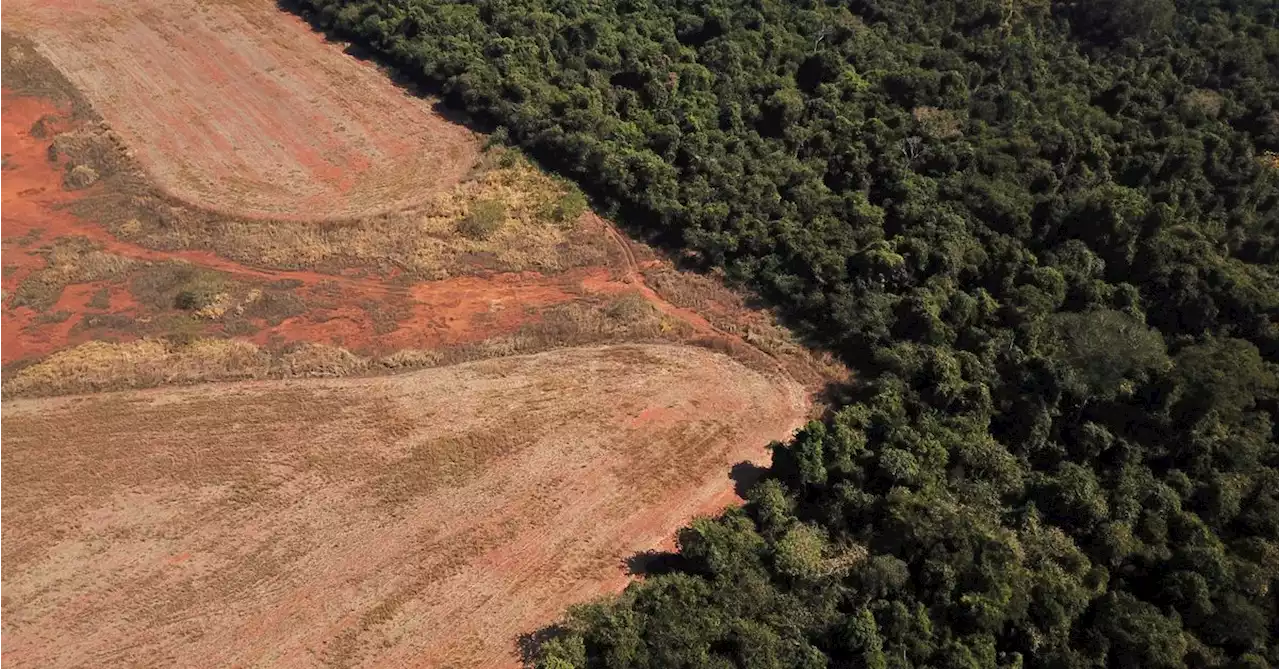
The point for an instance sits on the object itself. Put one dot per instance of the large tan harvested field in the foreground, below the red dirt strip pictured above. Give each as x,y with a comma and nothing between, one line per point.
420,520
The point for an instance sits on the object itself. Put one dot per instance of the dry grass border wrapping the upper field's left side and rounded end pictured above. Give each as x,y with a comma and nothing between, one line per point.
541,227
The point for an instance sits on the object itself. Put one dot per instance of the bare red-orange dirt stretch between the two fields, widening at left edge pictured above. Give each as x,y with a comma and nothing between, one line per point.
341,309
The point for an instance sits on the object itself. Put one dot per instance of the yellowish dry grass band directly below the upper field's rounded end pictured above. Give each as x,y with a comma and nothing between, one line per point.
529,223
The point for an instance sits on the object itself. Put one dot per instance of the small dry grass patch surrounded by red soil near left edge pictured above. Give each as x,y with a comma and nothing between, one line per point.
68,262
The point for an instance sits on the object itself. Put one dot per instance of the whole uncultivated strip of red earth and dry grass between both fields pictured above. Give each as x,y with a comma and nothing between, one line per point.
97,265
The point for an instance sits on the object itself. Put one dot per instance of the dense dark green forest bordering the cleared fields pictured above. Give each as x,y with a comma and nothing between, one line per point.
1045,233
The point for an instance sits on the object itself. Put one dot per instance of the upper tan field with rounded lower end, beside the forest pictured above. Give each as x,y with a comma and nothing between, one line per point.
239,108
